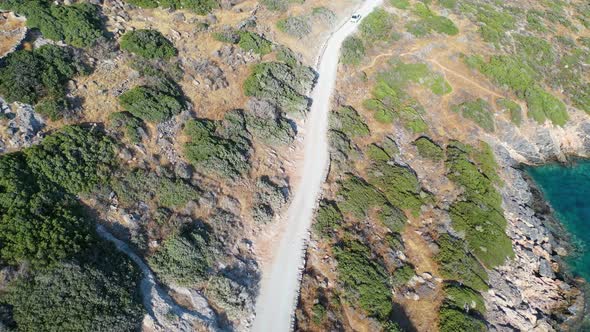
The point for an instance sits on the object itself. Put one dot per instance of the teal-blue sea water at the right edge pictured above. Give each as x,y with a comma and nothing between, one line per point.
568,191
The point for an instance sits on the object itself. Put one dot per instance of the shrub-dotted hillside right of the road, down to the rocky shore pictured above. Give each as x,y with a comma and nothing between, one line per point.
426,222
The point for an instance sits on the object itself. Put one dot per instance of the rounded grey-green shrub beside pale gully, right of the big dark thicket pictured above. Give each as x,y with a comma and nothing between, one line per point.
183,259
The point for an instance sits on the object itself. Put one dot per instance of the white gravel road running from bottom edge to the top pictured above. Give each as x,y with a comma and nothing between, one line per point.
280,282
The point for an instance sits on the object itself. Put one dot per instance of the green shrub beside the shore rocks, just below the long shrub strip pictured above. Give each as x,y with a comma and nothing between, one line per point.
455,263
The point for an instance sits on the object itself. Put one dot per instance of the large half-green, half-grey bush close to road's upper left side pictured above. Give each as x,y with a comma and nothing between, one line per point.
283,84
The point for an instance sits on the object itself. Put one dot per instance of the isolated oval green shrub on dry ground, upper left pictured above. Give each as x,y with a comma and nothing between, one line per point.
149,44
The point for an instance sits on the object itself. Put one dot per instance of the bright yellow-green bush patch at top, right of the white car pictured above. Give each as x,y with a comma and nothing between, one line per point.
429,22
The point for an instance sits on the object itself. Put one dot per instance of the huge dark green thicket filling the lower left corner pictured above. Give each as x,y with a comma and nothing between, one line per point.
44,230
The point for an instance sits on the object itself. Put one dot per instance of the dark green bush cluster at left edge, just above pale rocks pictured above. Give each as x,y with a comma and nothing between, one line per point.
40,77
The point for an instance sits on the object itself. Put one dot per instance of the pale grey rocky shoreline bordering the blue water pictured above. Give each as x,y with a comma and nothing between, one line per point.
530,292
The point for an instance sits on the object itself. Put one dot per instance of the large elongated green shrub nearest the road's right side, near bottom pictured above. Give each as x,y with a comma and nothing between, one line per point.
365,280
